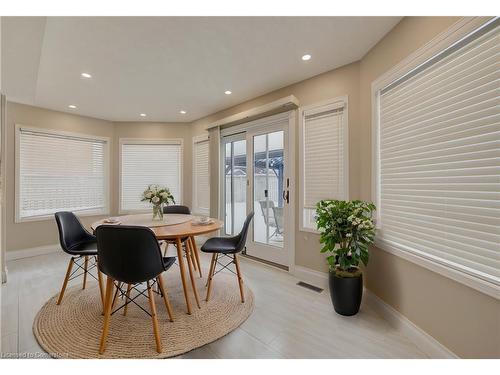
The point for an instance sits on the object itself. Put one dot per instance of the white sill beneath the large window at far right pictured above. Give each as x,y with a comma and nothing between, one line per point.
444,268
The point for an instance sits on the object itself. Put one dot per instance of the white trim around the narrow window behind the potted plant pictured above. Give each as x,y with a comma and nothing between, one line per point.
318,106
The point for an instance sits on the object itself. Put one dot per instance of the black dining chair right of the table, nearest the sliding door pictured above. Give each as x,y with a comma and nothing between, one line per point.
228,247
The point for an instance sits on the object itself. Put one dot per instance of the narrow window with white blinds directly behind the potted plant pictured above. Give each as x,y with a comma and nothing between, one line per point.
324,157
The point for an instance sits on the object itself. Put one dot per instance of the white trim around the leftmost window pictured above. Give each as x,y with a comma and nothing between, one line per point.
18,218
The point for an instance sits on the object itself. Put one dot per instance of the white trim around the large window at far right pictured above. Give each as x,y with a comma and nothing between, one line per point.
456,32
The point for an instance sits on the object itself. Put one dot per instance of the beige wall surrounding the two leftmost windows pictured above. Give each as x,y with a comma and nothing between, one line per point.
43,233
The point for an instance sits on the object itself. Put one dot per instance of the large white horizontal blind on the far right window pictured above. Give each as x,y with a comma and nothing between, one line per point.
439,158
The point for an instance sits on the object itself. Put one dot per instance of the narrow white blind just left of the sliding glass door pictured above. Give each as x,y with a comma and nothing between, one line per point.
201,181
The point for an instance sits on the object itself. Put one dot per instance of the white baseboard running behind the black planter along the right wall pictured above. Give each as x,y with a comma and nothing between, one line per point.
425,342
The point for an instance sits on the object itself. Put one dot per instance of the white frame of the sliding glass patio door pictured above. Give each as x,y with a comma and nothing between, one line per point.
251,127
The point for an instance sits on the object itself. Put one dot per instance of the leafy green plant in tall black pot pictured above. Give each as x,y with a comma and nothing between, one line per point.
347,230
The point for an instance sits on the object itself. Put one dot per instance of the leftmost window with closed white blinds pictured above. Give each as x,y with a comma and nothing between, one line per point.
59,172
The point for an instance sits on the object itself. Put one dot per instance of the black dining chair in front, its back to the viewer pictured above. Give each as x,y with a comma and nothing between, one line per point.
131,255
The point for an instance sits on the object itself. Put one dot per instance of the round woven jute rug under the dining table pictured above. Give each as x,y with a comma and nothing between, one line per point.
73,329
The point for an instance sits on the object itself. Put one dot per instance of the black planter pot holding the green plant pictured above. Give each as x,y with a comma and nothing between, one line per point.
346,293
